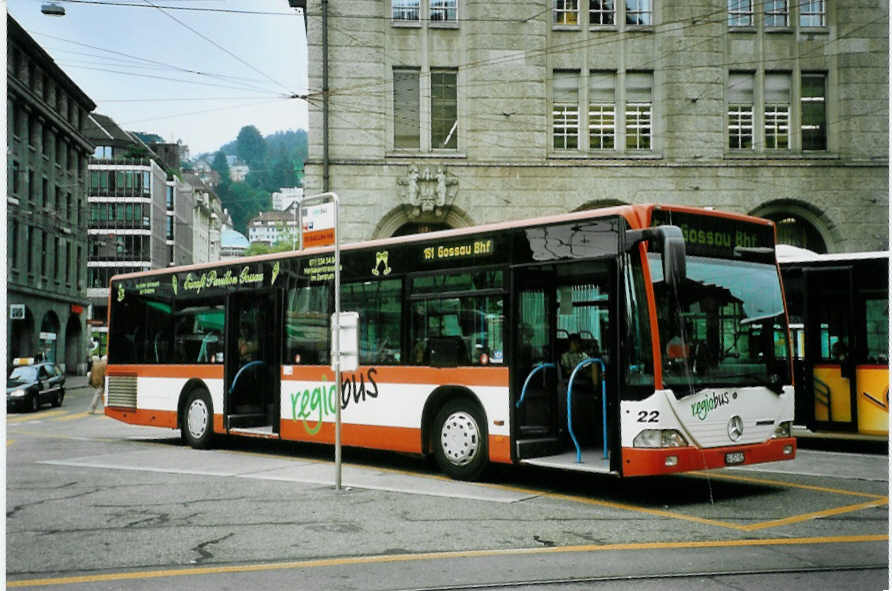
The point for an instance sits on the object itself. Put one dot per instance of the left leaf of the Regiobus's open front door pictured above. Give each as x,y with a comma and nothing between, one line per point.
534,363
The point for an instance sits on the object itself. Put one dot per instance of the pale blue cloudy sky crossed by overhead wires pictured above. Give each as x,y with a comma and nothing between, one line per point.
132,61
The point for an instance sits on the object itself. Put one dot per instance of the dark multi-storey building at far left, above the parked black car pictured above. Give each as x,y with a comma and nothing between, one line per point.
46,206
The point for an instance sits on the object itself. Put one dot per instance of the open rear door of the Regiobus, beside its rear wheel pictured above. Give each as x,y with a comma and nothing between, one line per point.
252,390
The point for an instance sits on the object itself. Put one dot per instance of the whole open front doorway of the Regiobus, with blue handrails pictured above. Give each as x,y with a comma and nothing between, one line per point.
564,316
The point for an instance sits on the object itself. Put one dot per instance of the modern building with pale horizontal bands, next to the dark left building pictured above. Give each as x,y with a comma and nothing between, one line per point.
139,217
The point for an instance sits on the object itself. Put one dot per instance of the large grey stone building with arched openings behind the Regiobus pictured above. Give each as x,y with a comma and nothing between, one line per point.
445,113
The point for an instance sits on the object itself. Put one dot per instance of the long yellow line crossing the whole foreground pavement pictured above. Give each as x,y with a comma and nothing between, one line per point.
391,558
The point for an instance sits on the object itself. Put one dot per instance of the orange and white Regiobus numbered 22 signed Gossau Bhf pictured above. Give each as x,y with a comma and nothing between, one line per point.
633,340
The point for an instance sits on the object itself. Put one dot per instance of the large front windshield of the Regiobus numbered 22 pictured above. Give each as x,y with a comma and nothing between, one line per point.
726,326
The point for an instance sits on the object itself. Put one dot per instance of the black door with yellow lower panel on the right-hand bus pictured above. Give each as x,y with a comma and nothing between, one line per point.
829,343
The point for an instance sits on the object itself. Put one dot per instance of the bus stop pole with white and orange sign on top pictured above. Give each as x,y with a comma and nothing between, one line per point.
319,227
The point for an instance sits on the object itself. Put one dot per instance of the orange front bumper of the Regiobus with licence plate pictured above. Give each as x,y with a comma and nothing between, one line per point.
667,460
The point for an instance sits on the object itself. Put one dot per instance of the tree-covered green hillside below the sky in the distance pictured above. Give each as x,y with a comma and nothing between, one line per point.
275,161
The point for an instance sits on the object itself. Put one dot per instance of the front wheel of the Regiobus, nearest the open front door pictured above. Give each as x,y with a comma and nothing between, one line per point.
460,440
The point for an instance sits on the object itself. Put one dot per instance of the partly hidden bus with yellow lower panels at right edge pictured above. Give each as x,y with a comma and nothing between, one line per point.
839,318
